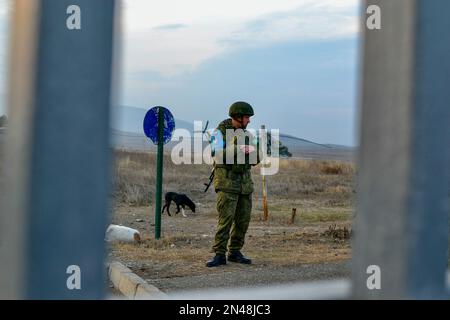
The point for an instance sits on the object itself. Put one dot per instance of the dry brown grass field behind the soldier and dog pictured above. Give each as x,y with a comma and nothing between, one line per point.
321,191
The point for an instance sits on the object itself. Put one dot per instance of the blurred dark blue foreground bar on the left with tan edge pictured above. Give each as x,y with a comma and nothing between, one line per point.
57,186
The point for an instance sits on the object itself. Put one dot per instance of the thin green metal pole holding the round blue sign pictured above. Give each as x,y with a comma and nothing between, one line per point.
159,170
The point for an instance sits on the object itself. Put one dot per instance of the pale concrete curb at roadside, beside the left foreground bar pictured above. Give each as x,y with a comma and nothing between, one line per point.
131,285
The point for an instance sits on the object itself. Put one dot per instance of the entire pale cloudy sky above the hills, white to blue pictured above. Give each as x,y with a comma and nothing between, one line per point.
294,61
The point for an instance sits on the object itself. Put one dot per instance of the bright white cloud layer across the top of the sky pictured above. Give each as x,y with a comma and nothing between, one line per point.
200,31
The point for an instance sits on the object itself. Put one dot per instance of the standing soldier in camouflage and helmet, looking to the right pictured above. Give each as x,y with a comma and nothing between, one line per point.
234,186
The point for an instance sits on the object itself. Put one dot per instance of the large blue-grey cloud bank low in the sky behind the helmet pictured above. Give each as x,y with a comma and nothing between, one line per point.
306,88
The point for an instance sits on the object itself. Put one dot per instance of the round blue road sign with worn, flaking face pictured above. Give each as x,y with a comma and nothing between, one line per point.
151,124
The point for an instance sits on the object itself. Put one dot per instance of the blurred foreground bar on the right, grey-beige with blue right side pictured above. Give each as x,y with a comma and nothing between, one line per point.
403,197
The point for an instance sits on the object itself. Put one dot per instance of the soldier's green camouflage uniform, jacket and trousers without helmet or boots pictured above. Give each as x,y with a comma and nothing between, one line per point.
234,187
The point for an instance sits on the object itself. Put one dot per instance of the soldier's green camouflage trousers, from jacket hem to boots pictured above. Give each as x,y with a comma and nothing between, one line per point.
234,215
